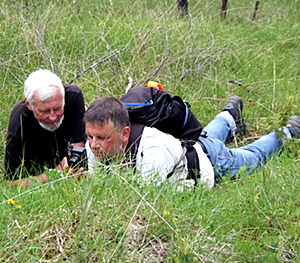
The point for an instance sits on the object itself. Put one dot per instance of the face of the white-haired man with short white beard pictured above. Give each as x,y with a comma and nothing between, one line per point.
50,112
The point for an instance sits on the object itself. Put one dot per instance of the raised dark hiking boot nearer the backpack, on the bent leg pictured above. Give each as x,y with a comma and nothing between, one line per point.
235,107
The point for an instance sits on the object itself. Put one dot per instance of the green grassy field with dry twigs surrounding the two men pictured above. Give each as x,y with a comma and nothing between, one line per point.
98,45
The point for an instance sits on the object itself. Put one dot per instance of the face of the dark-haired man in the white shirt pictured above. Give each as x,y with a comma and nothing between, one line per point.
105,141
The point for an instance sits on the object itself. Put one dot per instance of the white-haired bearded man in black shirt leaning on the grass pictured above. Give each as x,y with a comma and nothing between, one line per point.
42,126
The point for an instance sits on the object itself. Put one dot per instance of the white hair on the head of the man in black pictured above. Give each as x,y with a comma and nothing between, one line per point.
40,84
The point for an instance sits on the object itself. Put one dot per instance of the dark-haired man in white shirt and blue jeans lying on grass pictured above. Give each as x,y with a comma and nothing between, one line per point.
159,156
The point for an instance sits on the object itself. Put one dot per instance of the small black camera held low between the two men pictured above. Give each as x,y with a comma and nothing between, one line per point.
77,157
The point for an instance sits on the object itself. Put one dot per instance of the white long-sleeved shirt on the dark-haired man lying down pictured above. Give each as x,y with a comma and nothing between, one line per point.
158,154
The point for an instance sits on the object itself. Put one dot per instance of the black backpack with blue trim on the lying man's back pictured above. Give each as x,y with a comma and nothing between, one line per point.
158,108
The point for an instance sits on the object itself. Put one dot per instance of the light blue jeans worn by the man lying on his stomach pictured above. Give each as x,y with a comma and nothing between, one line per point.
228,162
